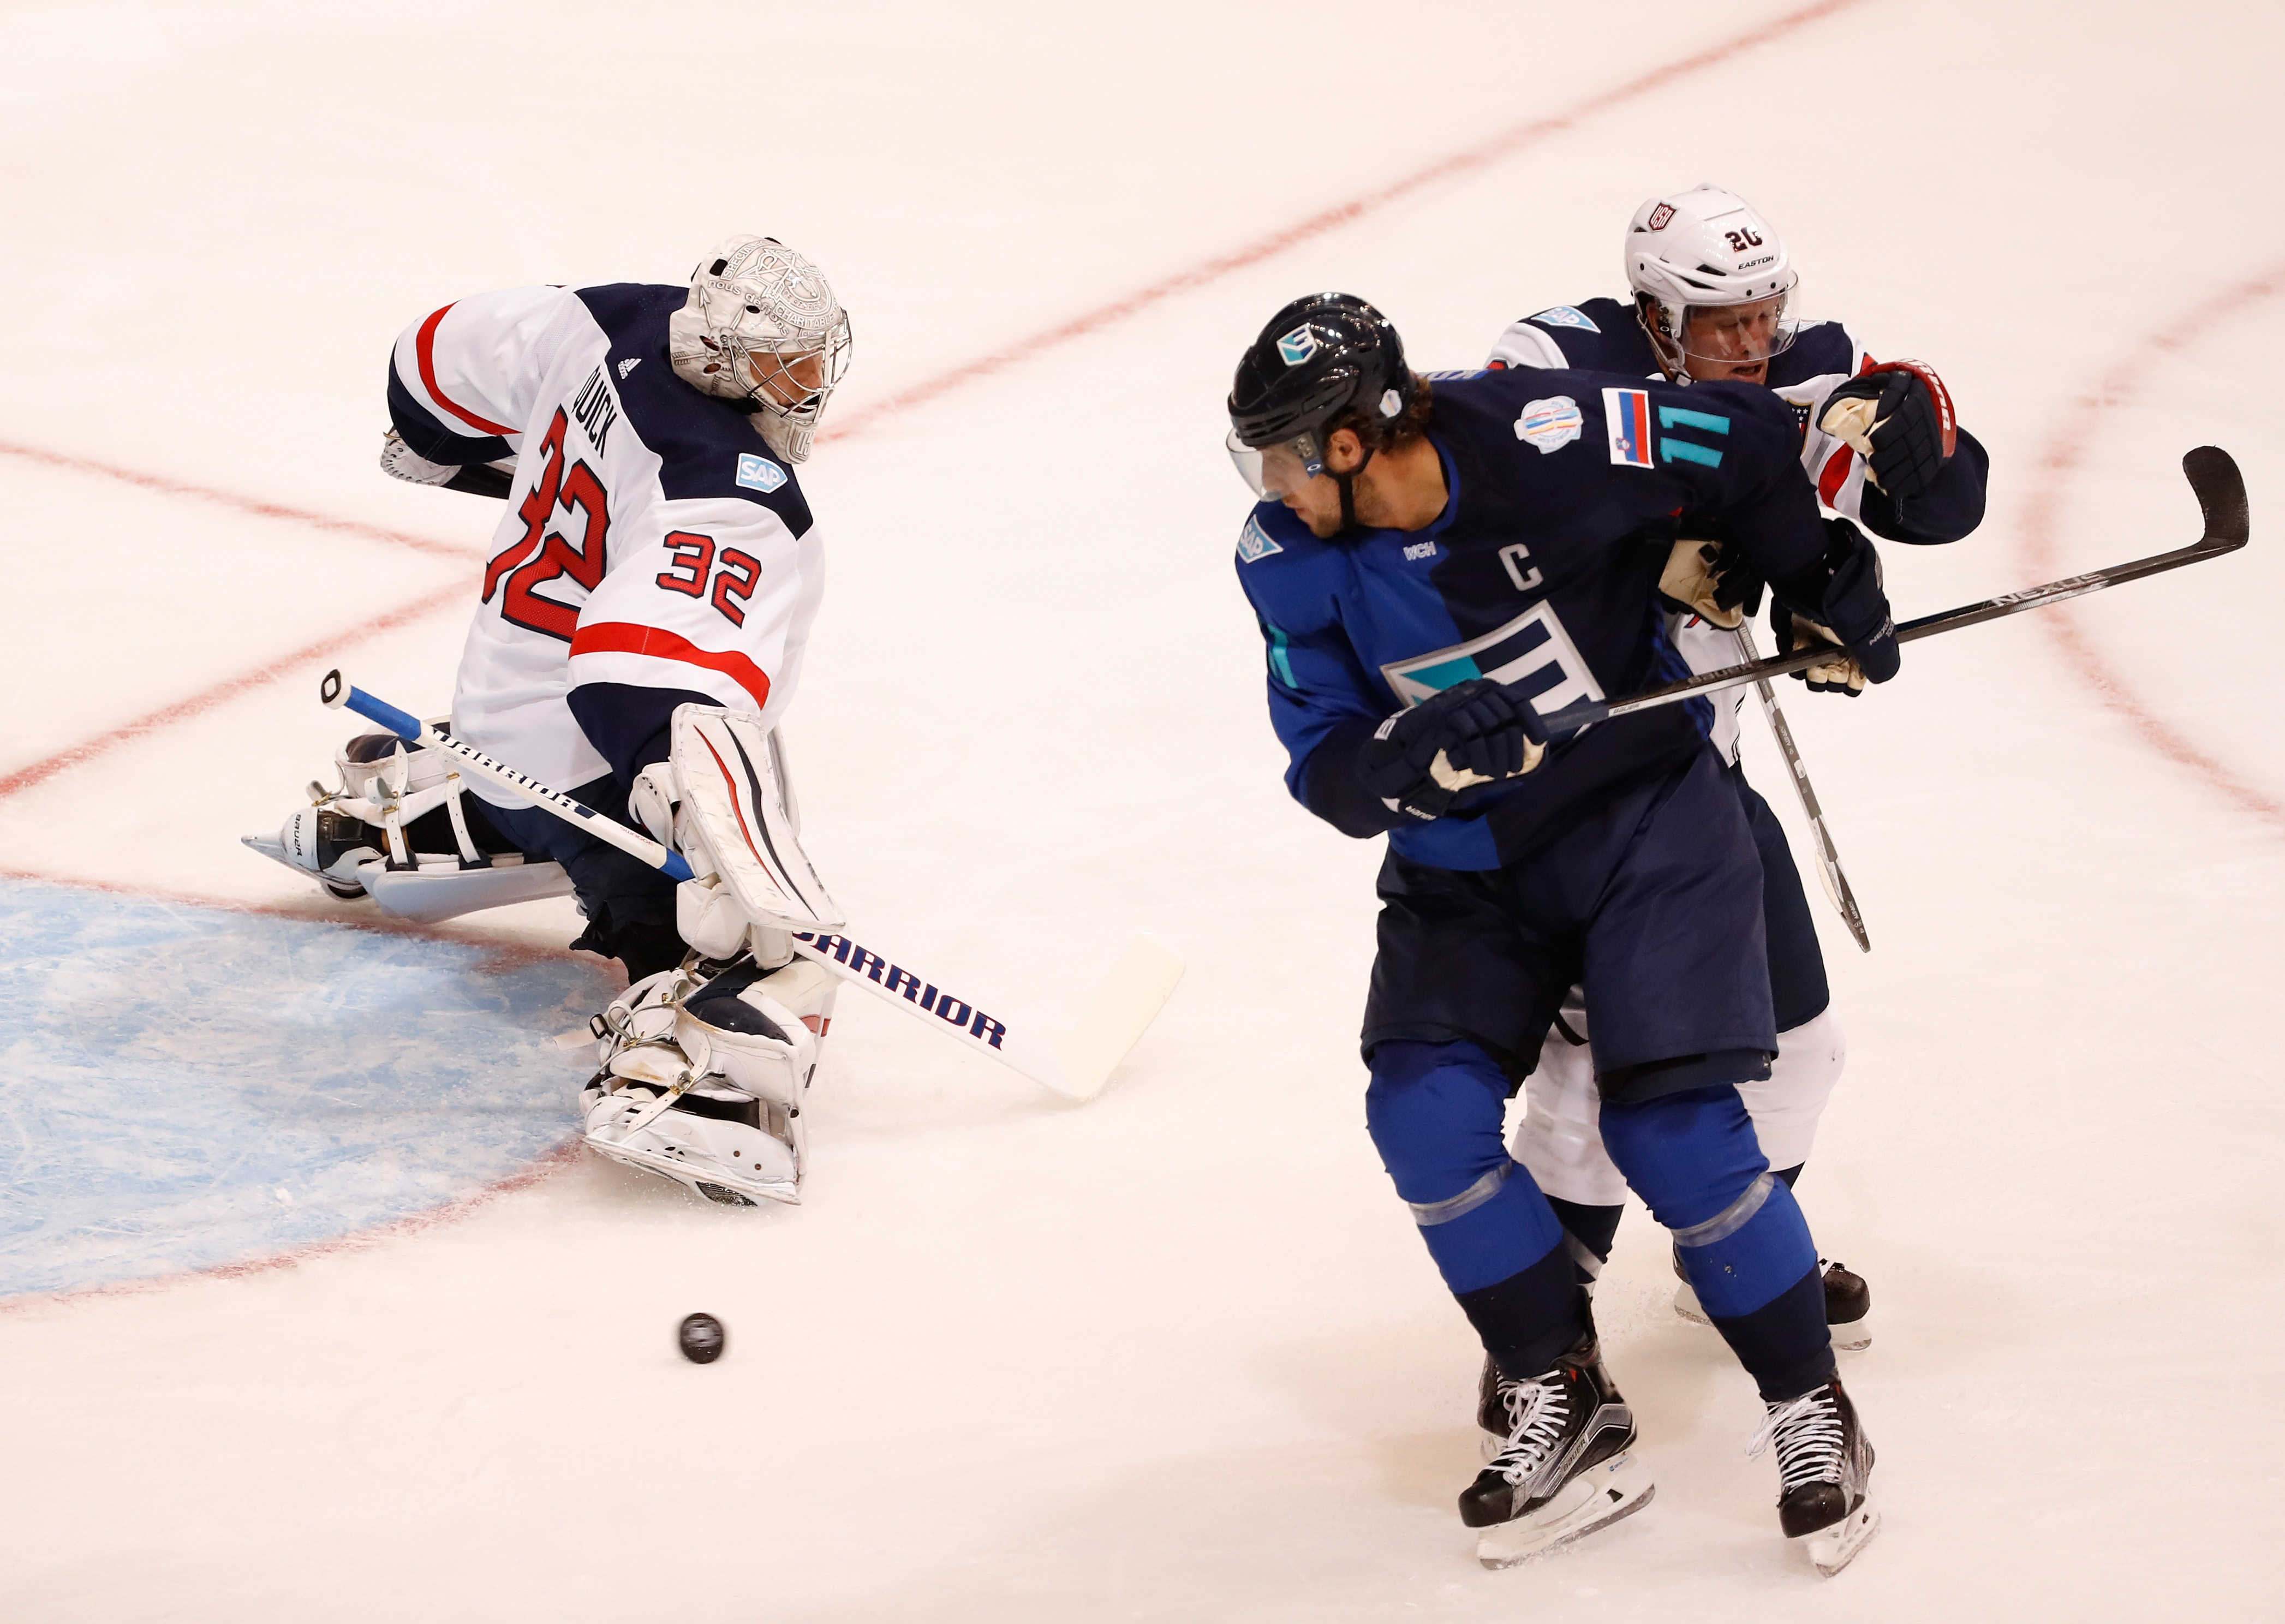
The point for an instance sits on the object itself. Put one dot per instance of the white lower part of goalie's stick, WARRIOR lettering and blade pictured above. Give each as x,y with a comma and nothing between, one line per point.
1075,1066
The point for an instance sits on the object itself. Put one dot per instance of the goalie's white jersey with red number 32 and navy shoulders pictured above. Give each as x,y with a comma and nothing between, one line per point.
652,540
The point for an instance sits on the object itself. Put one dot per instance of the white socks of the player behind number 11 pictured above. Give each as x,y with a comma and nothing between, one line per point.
1560,1136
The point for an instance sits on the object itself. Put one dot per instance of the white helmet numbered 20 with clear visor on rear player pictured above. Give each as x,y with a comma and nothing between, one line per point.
1708,252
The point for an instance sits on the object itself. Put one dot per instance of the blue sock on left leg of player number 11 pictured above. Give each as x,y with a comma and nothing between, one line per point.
1436,1114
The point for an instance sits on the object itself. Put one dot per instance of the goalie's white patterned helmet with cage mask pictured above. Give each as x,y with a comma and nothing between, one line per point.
764,325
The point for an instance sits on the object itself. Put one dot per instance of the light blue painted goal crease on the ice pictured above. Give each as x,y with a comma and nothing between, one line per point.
189,1088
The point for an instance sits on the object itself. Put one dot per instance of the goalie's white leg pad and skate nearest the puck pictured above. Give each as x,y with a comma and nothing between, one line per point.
703,1082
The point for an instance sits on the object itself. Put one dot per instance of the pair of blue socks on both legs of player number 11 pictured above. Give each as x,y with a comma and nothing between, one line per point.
1436,1114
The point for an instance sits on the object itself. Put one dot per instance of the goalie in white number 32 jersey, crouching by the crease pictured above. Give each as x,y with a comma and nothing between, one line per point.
639,634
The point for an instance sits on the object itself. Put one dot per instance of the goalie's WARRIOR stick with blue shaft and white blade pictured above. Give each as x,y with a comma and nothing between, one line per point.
1075,1066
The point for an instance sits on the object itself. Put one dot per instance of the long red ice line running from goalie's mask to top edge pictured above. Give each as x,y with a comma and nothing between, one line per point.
1466,161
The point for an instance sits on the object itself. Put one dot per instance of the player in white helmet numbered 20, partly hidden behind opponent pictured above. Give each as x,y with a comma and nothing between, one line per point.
1713,300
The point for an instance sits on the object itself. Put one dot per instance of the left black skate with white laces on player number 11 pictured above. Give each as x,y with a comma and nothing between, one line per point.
1564,1461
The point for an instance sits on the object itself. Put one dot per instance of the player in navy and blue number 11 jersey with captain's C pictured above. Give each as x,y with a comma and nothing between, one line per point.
1438,565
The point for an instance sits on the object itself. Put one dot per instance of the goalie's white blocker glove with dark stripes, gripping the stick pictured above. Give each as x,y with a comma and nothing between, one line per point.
721,801
